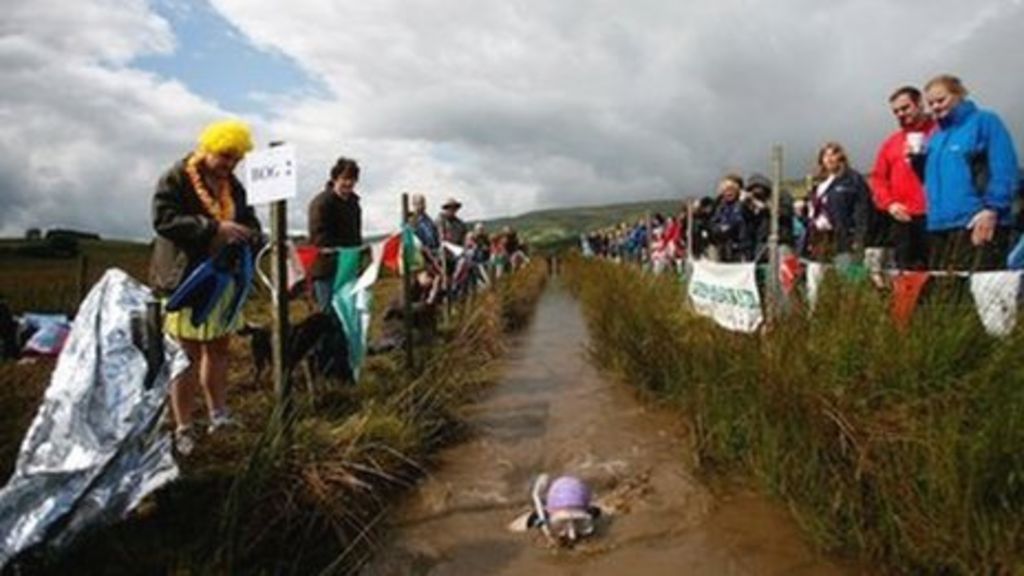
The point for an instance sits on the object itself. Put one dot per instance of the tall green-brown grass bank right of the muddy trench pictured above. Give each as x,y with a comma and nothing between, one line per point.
901,447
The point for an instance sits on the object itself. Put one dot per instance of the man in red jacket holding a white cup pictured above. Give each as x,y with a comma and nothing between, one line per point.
897,188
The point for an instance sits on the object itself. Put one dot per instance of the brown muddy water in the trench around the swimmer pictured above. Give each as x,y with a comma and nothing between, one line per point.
552,412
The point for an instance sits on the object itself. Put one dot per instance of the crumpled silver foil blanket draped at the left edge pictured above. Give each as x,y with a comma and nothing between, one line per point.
96,448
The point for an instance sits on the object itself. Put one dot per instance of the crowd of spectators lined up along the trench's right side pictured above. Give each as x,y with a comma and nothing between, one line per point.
944,194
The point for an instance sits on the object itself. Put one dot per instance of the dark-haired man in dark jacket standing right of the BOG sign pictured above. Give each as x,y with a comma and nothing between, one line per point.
335,222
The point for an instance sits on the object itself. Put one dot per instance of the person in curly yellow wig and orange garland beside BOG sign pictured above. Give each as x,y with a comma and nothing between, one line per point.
199,208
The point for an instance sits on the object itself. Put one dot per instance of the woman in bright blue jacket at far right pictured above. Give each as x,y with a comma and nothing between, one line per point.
970,178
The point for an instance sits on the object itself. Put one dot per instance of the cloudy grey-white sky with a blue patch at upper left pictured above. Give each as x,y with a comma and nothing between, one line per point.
511,106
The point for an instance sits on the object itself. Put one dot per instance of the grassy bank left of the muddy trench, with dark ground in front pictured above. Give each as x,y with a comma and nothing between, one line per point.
258,501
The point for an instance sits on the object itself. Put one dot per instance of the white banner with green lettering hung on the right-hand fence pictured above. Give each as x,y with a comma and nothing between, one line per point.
728,294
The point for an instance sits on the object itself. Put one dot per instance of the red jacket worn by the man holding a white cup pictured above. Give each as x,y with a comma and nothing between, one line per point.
893,180
